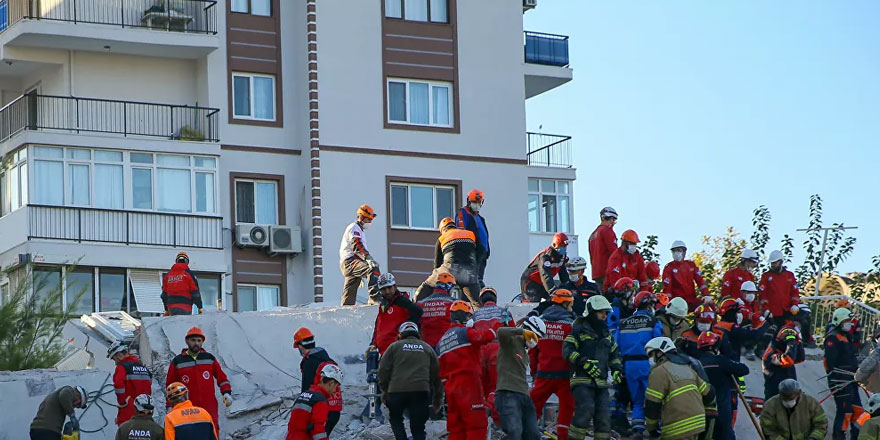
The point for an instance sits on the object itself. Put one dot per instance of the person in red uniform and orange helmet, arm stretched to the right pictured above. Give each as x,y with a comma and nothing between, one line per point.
459,355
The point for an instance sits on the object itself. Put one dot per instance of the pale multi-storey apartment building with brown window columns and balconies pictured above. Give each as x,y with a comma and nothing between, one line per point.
247,132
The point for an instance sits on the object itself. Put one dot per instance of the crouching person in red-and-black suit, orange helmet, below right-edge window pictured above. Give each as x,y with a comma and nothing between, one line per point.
537,281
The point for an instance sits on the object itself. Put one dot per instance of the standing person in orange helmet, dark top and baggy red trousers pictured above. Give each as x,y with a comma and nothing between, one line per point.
550,369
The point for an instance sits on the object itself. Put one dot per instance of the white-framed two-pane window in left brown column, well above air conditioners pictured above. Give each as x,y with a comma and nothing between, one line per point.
253,96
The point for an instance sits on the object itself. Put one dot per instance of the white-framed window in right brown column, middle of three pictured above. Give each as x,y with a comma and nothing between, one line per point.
419,103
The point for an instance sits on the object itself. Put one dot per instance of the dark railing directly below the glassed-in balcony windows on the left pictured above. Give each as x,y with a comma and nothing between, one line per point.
124,227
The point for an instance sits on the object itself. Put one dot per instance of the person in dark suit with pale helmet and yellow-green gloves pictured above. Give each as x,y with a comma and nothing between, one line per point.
592,353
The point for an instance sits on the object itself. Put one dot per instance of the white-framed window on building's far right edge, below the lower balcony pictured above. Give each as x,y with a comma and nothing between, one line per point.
550,207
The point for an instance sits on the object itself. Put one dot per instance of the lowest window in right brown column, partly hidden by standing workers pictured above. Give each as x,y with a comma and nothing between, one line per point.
418,206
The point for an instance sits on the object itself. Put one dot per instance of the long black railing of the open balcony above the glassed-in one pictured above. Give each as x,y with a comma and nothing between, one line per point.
76,115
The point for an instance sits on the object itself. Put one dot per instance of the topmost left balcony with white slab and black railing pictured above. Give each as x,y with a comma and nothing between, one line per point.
166,28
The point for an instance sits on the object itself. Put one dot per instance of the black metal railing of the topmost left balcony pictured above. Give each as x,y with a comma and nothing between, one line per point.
193,16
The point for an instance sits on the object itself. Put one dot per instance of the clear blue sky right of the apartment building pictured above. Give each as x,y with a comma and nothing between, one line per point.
686,115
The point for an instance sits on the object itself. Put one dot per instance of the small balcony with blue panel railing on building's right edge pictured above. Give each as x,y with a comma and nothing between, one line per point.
546,62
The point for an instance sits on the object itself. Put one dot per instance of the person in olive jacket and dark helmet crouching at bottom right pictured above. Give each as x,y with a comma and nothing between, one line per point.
793,414
